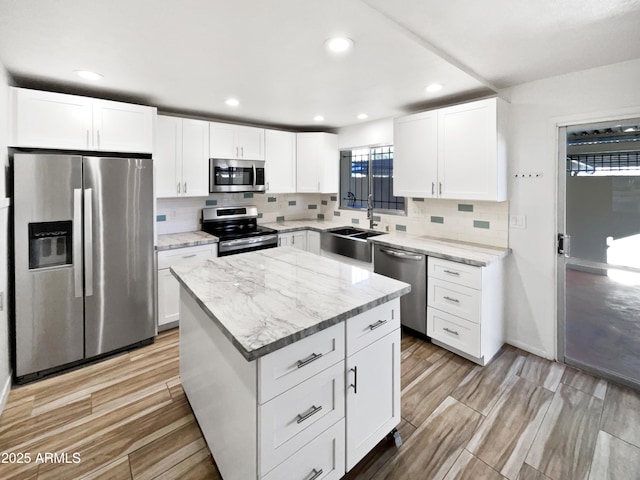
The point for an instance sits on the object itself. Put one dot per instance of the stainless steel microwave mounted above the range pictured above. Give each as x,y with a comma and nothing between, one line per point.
236,175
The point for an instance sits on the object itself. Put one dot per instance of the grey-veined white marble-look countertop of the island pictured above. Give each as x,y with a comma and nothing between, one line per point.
268,299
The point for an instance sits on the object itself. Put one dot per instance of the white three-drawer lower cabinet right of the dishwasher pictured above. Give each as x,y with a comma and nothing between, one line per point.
465,308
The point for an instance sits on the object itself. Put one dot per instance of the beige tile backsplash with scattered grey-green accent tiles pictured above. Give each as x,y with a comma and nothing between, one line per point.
477,222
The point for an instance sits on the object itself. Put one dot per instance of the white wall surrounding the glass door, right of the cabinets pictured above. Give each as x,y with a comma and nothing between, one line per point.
537,108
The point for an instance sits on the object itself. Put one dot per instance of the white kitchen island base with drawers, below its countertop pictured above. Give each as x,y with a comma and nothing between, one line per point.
289,414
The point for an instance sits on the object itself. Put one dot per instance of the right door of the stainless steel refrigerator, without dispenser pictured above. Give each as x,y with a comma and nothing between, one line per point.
119,267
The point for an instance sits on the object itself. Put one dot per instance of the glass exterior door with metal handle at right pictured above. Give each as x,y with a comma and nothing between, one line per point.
599,249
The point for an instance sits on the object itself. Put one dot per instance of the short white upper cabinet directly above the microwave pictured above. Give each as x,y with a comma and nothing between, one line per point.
236,141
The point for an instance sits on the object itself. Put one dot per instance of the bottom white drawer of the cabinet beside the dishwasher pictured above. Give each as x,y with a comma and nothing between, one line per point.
454,331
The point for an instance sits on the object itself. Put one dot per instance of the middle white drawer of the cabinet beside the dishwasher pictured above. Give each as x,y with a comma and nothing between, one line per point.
455,299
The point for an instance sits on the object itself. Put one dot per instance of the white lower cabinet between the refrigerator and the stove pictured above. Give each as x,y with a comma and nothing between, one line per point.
168,286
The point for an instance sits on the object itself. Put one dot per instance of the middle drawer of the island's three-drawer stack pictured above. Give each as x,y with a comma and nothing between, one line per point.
294,418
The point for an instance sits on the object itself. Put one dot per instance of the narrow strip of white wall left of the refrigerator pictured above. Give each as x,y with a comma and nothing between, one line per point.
5,364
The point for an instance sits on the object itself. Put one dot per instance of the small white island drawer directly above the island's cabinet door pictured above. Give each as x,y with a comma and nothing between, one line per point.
369,326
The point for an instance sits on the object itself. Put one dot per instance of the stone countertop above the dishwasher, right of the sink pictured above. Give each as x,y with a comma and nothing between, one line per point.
467,253
